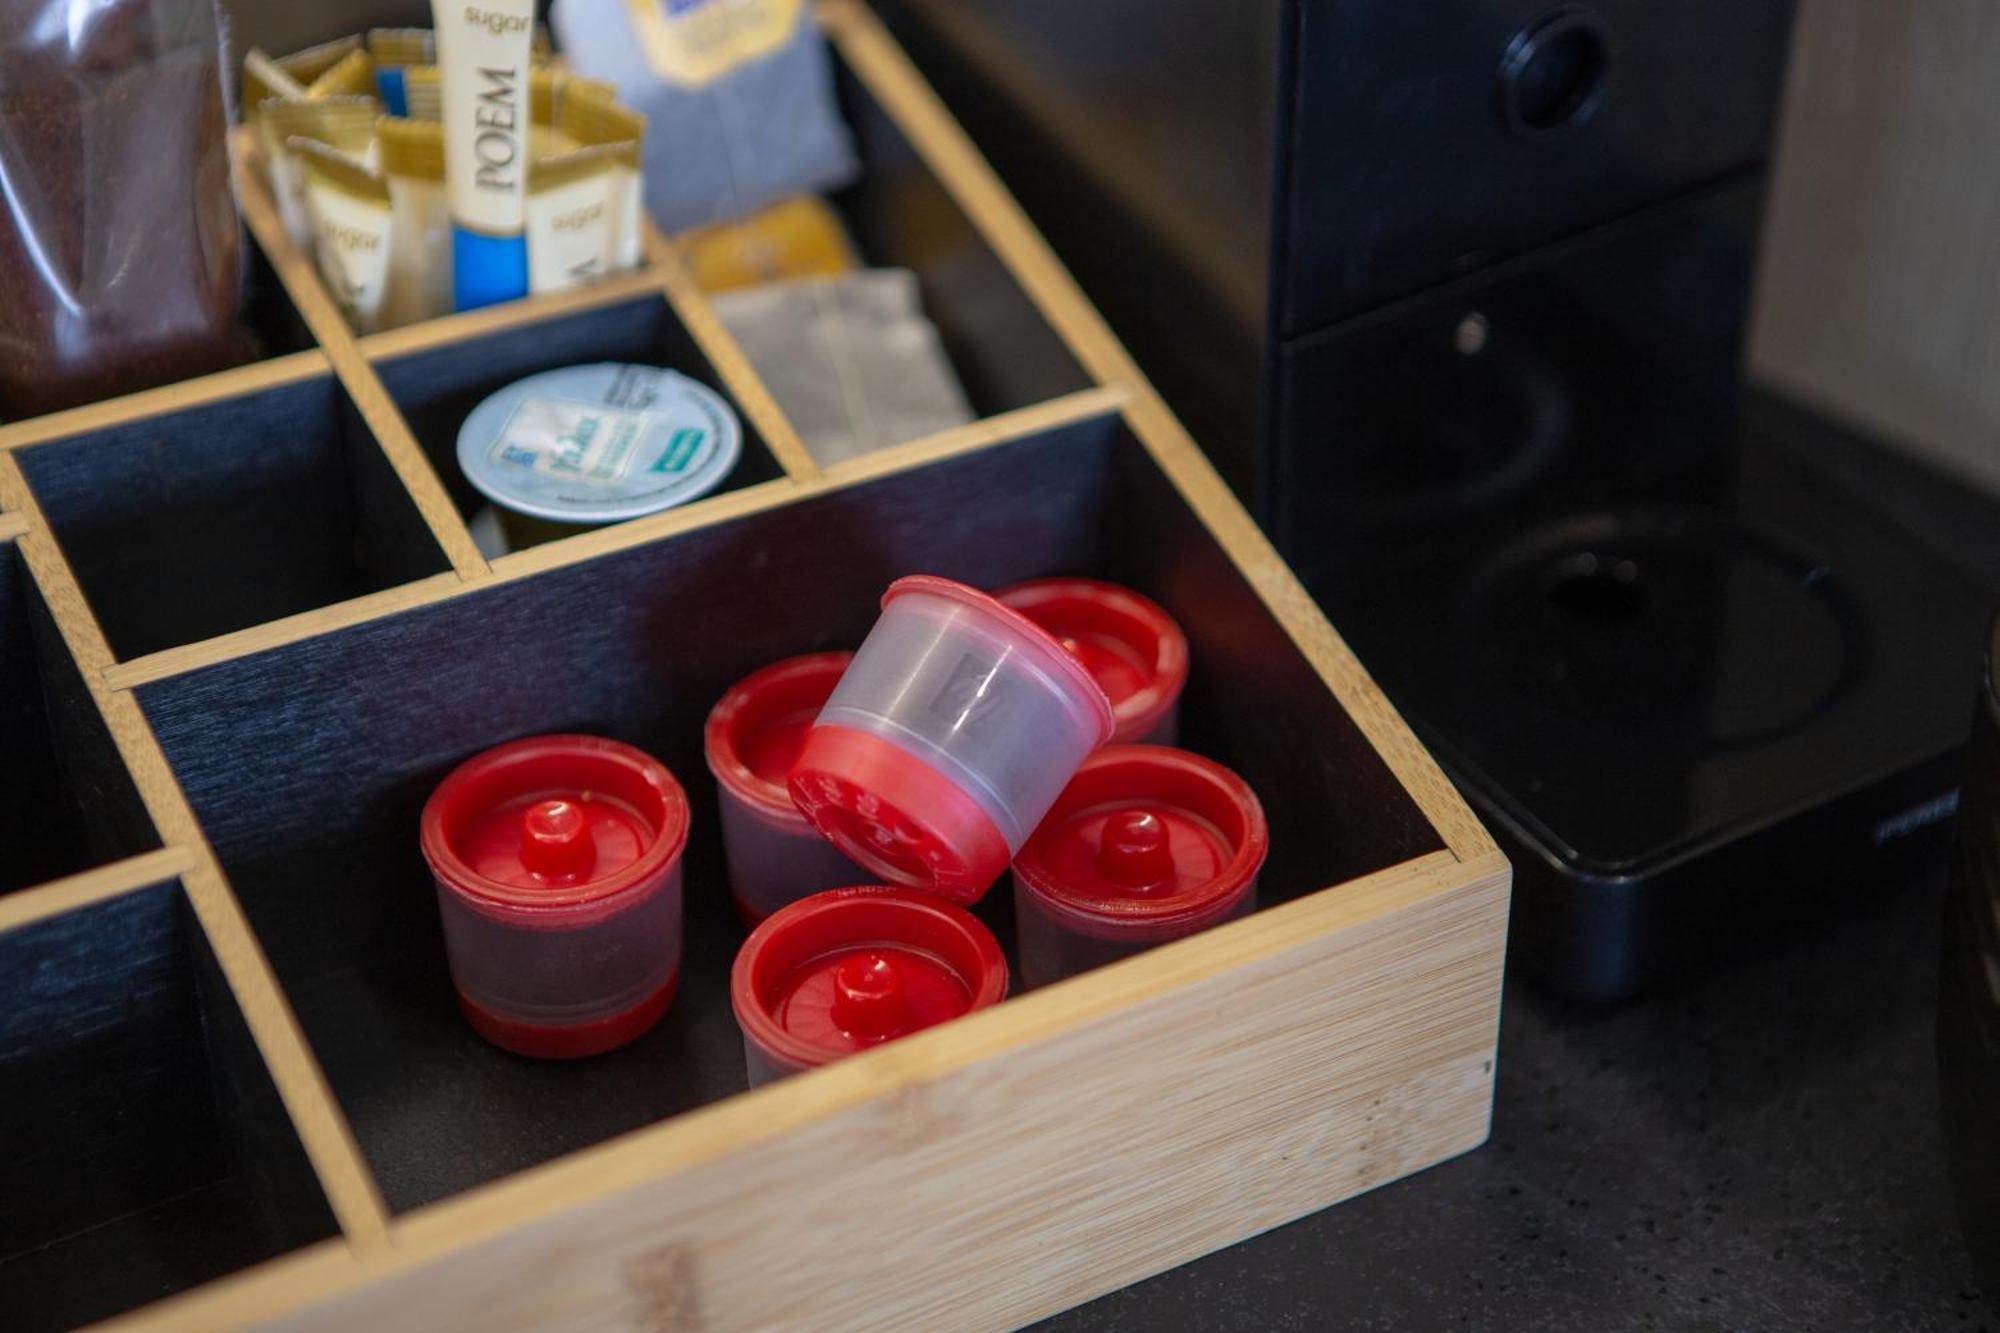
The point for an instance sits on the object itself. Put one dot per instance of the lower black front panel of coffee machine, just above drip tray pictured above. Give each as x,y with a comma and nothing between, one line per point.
1521,393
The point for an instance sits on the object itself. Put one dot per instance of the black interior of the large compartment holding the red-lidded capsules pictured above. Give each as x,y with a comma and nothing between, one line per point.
317,824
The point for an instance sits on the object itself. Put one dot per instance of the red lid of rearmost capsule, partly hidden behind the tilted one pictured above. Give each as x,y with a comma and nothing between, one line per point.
1129,645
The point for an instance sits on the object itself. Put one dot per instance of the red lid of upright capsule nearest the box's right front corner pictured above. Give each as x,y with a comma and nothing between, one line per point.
1147,840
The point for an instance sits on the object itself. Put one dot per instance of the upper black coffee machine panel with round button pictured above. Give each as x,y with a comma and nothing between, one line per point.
1437,139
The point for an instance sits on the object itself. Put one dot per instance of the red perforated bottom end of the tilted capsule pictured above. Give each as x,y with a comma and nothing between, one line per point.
897,816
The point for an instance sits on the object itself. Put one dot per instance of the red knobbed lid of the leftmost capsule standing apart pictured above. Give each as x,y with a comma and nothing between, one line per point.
555,832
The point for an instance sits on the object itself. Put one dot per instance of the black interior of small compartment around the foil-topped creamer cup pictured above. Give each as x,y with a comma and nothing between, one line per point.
437,389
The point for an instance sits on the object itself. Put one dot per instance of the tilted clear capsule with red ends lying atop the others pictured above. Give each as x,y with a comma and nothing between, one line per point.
947,740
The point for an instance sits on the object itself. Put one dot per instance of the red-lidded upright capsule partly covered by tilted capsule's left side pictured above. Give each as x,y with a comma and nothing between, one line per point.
753,740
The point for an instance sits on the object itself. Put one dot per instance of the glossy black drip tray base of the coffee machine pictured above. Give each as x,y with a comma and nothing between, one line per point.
1691,720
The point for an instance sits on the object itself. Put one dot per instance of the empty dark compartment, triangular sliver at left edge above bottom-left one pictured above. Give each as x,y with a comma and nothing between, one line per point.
67,802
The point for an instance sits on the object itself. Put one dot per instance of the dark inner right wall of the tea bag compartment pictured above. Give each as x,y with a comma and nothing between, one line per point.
1005,353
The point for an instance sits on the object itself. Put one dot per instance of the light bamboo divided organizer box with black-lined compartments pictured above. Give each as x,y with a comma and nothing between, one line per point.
243,635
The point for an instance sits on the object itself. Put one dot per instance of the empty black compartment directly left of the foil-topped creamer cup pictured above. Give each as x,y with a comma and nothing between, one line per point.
229,515
